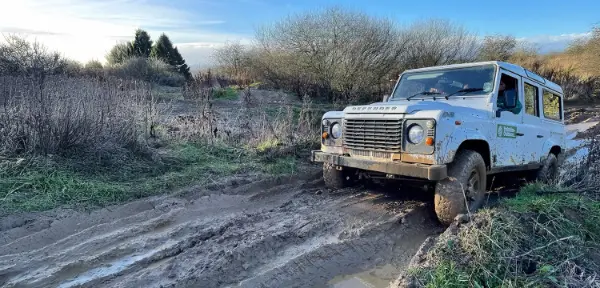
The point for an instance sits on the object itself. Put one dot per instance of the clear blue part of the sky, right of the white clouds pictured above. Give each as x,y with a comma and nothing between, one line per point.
520,18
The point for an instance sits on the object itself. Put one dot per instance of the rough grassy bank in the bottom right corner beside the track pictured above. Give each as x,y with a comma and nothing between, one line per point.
540,238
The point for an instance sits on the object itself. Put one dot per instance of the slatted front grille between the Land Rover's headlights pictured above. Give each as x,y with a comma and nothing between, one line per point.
373,134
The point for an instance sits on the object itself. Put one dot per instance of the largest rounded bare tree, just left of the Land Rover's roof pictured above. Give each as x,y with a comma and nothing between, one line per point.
332,52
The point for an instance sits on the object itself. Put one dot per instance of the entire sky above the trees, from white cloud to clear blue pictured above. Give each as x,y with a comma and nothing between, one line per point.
87,29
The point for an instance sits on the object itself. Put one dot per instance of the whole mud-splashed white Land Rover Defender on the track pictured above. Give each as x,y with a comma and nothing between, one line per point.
452,126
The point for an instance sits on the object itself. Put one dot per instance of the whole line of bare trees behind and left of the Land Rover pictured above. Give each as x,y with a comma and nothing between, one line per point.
343,55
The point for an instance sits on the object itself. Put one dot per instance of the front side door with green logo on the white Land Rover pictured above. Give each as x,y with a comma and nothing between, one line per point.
508,139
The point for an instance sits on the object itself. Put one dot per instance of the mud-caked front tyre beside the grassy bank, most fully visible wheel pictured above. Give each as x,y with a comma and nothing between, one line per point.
464,189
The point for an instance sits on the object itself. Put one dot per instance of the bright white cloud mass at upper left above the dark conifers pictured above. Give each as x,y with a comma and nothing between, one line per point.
87,29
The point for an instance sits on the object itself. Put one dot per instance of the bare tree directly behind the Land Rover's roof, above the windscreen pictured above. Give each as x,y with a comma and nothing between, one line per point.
438,42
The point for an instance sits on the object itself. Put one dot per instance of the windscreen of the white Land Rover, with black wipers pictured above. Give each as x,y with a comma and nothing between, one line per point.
470,81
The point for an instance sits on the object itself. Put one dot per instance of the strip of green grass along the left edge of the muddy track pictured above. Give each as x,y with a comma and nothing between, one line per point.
46,184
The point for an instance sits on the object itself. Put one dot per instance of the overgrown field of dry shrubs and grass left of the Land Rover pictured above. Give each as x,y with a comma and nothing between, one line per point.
84,142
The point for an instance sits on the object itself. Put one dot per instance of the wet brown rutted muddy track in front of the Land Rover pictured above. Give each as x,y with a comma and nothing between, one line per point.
282,232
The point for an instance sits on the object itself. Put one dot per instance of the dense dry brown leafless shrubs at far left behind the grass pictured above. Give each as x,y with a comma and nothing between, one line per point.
66,115
